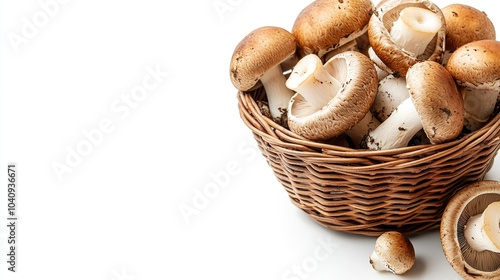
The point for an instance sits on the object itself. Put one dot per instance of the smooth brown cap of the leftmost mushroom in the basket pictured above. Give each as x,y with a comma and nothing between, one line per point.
259,51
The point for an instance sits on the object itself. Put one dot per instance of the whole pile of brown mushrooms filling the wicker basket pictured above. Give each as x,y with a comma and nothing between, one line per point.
359,71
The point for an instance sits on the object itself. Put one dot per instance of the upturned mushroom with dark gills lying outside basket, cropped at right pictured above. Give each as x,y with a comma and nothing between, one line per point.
470,230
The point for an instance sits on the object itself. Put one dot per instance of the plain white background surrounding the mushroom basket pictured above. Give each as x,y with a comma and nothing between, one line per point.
115,212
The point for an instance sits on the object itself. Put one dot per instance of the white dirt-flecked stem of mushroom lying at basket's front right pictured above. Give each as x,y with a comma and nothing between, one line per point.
397,130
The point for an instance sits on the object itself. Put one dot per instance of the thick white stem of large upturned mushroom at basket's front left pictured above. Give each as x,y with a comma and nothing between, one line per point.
310,79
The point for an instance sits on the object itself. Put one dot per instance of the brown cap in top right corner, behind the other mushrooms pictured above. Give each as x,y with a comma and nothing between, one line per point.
465,24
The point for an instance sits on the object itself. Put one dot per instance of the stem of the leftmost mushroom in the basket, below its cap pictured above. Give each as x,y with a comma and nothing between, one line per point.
278,95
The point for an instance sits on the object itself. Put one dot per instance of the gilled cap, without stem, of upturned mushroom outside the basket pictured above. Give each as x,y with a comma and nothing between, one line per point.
469,201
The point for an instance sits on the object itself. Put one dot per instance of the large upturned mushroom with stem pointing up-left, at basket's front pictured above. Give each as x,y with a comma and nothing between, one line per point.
327,105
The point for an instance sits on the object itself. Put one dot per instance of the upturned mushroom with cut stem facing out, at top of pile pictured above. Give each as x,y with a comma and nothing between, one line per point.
404,32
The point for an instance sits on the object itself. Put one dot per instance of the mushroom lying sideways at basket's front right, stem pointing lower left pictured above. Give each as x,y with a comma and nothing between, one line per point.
435,105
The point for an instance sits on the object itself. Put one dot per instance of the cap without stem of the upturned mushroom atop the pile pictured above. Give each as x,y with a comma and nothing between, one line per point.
388,51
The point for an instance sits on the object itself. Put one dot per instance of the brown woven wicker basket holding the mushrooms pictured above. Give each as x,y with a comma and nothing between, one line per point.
370,192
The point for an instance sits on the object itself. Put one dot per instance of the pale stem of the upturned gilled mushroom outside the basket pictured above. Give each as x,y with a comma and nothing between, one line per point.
482,231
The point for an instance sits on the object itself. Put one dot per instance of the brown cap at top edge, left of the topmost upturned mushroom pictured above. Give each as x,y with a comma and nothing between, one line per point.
325,25
